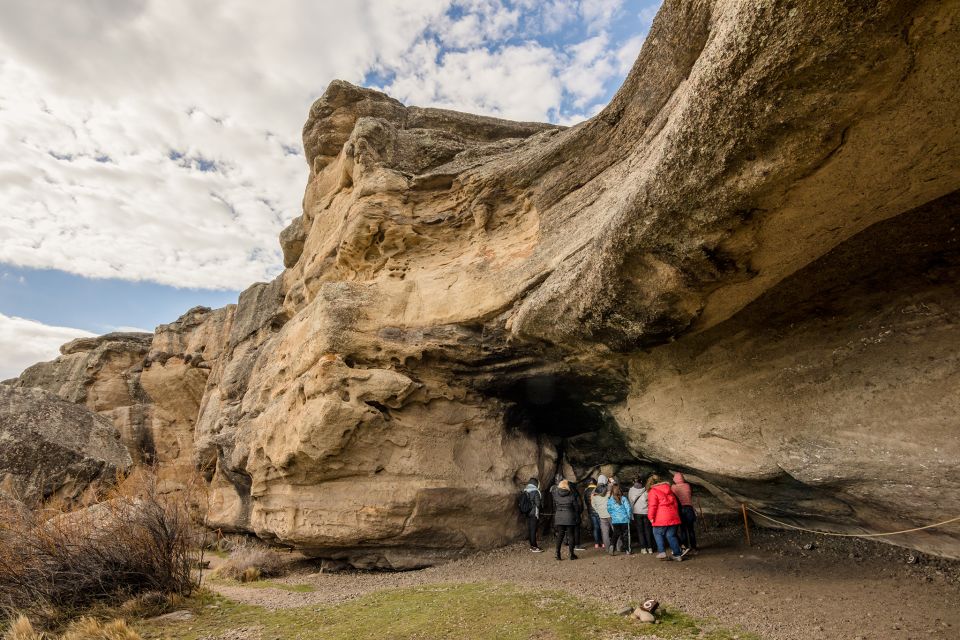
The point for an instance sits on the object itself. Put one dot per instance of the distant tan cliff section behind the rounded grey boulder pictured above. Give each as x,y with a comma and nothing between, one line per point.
148,385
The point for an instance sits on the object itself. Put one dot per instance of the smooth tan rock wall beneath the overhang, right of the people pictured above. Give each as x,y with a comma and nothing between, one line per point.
832,400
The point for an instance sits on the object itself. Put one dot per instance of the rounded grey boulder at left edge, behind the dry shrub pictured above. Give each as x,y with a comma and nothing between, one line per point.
52,448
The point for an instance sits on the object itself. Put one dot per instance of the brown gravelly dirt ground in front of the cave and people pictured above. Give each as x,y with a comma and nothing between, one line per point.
841,589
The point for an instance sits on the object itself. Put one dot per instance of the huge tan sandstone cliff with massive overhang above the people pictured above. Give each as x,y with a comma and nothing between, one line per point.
744,268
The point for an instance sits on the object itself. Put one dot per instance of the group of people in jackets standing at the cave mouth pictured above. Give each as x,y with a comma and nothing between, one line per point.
661,514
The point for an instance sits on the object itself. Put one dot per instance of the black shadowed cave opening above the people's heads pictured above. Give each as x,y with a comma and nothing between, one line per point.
564,412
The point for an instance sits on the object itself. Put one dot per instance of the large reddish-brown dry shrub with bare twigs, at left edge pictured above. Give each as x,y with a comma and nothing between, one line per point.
53,565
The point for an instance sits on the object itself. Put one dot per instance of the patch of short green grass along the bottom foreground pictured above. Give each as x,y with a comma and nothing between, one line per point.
476,611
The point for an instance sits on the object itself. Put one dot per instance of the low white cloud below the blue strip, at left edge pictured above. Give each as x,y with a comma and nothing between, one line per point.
25,342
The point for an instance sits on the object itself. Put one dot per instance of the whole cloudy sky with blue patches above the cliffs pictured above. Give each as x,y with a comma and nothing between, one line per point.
150,149
